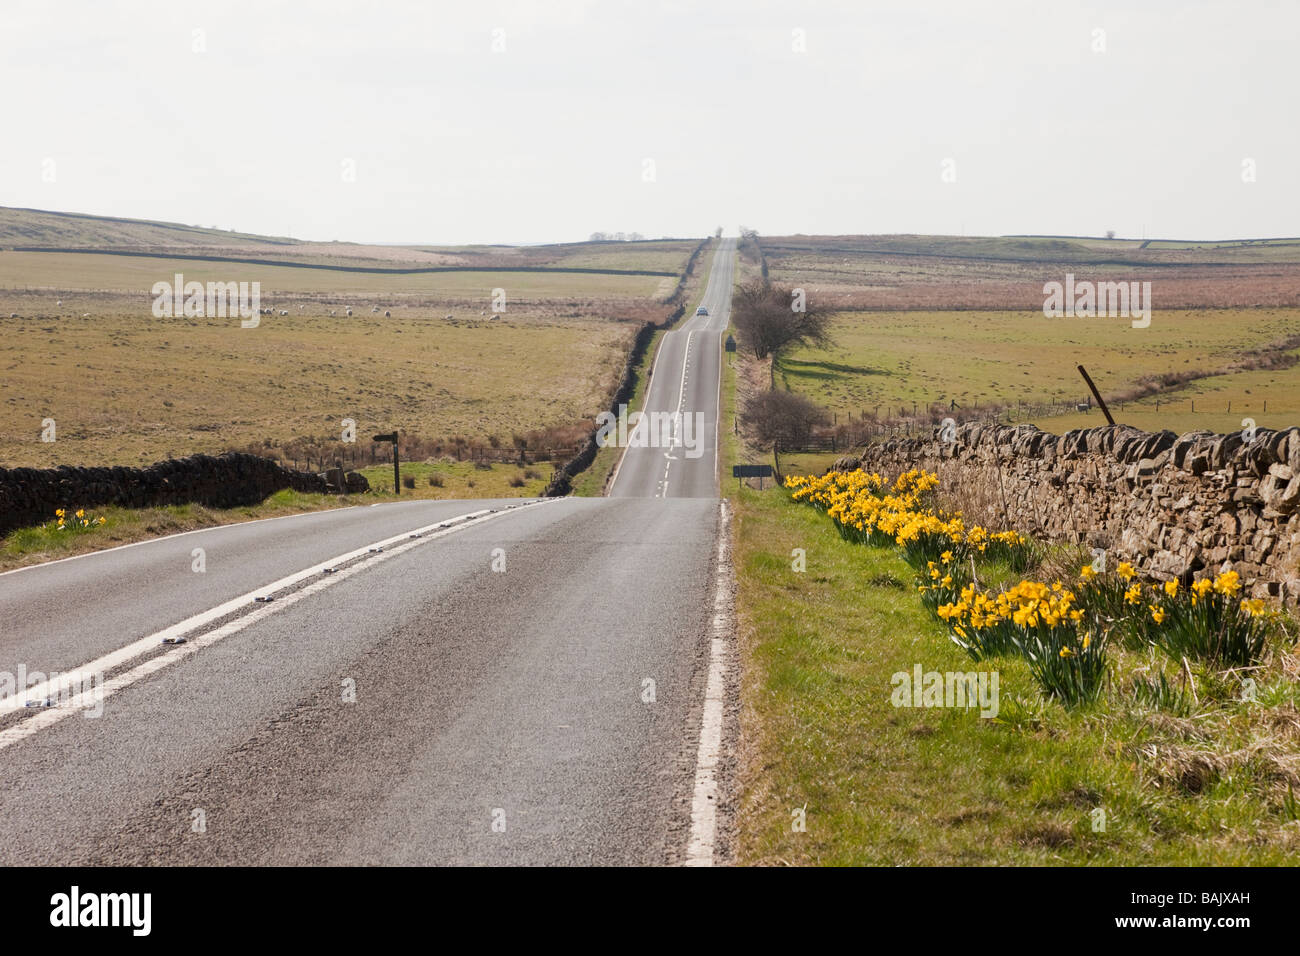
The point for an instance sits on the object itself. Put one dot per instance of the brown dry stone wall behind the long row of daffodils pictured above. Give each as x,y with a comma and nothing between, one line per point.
1173,505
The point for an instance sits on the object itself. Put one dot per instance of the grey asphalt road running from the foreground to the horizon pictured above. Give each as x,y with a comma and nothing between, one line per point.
456,682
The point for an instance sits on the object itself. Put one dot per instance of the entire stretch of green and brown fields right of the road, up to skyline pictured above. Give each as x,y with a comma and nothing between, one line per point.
931,327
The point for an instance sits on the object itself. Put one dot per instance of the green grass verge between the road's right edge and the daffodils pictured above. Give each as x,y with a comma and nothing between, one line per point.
895,786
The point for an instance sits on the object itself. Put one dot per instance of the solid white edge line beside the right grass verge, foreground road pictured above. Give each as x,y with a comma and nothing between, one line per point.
704,806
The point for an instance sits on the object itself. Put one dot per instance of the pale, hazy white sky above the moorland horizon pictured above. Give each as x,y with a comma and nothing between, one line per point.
487,122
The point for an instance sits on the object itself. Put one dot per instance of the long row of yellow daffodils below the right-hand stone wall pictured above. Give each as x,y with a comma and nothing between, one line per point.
1061,631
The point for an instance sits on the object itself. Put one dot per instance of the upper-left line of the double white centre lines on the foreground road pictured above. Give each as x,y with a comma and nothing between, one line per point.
149,643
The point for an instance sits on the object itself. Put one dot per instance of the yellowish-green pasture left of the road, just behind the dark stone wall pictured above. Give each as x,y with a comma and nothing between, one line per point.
125,388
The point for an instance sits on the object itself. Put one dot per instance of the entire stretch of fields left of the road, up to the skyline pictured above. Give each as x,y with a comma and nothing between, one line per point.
81,345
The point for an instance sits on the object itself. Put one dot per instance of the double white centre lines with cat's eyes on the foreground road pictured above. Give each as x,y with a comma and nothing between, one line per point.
179,637
